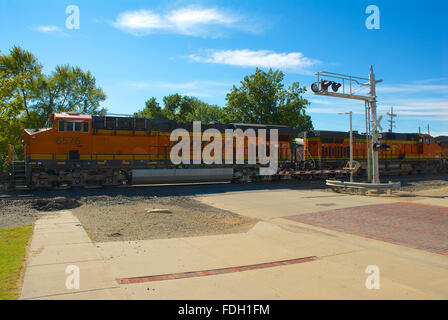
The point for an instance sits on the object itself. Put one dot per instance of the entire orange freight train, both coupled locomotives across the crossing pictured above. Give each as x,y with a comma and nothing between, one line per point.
77,150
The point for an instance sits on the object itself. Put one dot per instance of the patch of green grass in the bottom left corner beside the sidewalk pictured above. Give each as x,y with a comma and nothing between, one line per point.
13,244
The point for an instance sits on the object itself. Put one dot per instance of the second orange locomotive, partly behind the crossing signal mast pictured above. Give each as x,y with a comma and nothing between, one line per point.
397,152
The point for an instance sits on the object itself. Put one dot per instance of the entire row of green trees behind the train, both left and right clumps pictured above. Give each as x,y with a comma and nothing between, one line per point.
28,97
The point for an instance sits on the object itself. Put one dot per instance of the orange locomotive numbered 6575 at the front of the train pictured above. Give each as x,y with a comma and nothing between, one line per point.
81,150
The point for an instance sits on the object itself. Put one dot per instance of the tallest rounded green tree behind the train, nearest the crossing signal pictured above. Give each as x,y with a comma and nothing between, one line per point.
262,99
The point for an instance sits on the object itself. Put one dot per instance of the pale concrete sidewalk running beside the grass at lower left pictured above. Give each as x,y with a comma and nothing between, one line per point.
60,241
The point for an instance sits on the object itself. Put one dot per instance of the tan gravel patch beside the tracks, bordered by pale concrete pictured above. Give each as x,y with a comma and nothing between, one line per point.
122,219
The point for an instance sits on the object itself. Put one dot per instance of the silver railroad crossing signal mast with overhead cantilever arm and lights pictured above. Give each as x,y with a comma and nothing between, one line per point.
346,86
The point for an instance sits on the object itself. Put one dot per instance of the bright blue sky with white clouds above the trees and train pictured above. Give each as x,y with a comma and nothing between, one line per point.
140,49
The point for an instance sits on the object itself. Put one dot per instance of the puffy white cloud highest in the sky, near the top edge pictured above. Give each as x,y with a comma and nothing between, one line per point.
193,20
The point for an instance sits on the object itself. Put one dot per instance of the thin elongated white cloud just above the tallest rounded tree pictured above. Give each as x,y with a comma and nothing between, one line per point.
261,58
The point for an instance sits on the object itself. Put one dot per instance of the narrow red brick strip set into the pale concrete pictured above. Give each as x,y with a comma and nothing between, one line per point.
212,272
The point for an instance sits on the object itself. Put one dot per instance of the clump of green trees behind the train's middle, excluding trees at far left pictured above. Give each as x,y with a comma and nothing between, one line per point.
261,98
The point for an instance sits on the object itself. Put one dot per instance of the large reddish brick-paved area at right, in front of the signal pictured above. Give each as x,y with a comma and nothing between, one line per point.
413,225
